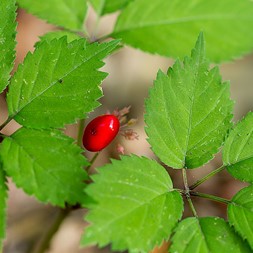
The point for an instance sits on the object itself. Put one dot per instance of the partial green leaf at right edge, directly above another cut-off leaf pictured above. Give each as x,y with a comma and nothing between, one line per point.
238,150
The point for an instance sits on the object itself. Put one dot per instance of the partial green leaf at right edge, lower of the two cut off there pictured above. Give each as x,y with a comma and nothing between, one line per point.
240,213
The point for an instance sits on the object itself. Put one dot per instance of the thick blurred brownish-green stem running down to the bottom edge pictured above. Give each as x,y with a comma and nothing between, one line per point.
44,243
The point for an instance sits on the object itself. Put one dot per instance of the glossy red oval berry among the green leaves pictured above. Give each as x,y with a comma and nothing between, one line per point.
100,132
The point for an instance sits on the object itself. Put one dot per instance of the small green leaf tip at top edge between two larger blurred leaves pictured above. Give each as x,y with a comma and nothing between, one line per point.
103,7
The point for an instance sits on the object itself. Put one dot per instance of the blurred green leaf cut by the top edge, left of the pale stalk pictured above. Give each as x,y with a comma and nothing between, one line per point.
68,14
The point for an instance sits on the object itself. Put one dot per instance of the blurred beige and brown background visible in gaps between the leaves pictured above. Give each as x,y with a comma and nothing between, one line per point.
131,74
